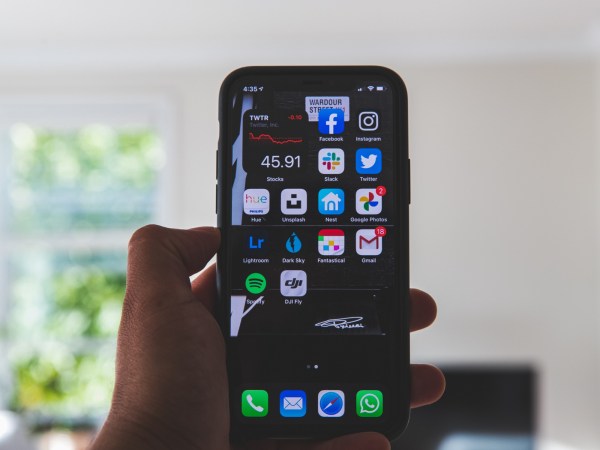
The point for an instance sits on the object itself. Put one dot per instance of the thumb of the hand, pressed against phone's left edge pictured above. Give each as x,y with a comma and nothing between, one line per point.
161,260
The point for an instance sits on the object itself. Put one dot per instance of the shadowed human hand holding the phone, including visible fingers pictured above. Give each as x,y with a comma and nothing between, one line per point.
171,388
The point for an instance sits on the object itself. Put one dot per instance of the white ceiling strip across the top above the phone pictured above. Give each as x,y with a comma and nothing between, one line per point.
195,32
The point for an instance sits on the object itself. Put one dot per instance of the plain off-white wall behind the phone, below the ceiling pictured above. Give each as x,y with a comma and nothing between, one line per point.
504,214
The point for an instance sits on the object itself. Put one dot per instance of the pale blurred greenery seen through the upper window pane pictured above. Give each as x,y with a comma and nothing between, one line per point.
92,178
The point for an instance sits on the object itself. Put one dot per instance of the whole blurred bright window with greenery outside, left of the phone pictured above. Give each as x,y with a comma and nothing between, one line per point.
72,192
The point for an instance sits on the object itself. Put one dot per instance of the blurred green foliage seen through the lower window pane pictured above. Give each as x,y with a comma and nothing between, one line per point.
63,322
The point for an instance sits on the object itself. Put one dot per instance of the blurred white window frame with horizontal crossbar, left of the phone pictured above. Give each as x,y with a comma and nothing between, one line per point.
70,111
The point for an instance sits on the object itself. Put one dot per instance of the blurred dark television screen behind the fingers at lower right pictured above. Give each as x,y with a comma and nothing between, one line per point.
484,408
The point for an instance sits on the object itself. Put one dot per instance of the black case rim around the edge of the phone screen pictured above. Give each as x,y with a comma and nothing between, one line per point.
400,402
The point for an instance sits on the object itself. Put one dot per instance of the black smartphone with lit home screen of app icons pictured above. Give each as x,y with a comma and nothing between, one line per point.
312,199
